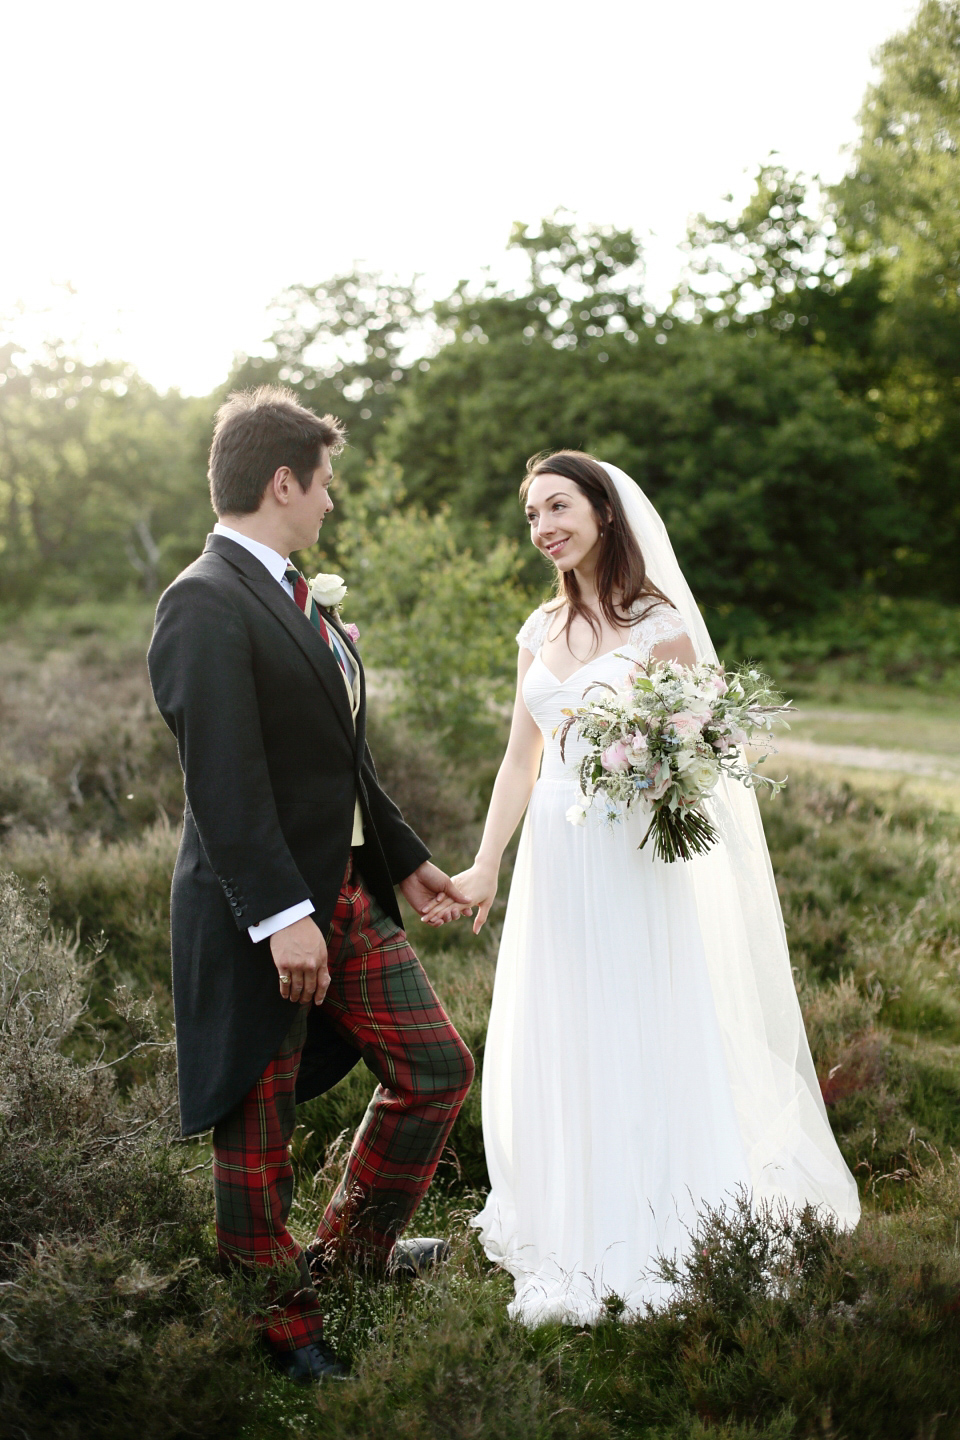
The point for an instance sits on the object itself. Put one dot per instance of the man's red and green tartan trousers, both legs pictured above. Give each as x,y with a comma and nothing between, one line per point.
381,999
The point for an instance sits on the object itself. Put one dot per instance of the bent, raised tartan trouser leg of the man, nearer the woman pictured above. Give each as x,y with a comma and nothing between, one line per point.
384,1002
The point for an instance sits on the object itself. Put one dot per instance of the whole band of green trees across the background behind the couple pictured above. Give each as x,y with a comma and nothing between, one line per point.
795,413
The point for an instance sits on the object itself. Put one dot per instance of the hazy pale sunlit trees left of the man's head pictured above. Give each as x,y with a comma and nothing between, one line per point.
101,485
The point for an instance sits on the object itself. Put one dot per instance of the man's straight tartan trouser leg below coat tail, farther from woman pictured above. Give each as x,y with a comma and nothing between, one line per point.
254,1190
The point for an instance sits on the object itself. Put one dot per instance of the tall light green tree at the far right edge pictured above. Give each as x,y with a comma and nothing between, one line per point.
900,210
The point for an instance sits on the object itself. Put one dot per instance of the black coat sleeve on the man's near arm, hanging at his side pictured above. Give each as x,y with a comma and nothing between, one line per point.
202,675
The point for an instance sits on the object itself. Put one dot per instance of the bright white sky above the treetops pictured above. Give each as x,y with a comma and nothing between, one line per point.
179,165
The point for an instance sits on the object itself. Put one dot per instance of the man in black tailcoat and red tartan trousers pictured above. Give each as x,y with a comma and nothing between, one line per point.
290,961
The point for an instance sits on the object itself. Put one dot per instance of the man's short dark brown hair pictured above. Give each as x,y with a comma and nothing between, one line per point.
255,434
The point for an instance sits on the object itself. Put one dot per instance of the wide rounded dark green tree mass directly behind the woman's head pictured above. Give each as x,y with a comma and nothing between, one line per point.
769,479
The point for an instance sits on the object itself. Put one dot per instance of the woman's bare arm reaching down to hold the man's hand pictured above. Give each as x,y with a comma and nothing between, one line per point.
515,786
